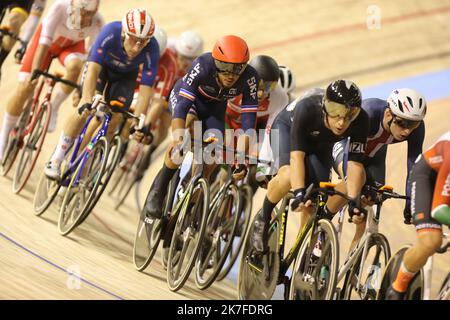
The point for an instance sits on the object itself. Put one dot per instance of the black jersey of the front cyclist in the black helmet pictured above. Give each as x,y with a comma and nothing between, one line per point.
300,126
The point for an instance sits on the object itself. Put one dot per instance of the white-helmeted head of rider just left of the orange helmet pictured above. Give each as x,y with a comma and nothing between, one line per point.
187,47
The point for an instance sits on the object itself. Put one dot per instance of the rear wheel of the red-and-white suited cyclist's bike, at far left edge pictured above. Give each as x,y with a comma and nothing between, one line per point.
15,140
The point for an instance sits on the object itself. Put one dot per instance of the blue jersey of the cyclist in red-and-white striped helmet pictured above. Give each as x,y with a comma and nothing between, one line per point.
108,51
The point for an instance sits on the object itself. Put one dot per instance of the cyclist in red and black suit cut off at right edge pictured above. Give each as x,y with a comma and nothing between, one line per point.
430,206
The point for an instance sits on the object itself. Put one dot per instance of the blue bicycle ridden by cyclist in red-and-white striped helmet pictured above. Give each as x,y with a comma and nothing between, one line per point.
86,174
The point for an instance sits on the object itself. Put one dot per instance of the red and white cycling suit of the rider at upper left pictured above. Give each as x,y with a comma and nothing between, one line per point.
63,42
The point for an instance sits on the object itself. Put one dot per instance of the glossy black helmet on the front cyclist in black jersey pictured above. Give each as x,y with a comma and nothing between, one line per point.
344,92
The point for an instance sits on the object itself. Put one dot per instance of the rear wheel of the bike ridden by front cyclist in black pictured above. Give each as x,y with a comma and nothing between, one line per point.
256,282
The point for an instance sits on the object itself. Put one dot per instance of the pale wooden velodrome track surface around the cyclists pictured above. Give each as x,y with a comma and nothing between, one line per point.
320,40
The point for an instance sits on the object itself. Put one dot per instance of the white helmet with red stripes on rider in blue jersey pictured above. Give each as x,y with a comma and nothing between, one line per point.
138,23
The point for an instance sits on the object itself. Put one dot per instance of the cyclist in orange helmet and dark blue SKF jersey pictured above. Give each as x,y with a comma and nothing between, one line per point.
213,79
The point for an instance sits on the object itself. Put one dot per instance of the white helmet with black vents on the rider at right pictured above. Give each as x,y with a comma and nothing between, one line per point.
407,104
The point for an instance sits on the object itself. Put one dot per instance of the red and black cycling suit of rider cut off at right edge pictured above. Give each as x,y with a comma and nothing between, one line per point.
431,170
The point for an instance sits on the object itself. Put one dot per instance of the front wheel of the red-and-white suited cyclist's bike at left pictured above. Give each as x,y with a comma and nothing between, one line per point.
31,149
